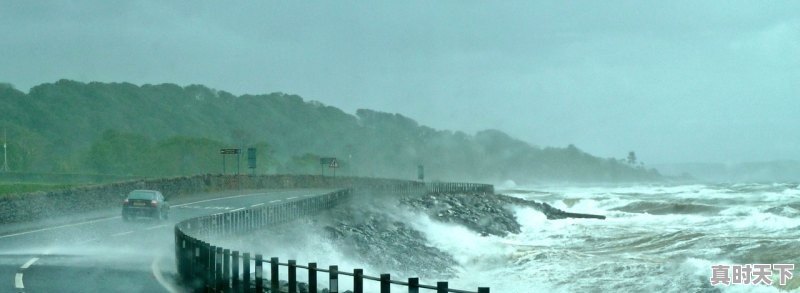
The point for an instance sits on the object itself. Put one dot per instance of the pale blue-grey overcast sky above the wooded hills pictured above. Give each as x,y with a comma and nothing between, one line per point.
675,81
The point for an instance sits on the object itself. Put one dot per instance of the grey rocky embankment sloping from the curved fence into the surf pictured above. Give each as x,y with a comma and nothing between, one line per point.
378,233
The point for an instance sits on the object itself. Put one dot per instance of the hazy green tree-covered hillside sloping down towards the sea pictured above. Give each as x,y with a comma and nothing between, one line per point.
167,130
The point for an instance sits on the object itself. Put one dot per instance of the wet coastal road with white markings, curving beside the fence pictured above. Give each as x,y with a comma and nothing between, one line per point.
106,254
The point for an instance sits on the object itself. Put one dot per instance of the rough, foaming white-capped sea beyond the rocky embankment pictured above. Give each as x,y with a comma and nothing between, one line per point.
655,239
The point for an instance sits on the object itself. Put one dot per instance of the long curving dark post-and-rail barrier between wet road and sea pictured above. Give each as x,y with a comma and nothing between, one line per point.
204,267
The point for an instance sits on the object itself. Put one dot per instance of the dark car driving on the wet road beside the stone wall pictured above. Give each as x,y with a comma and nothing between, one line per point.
145,203
